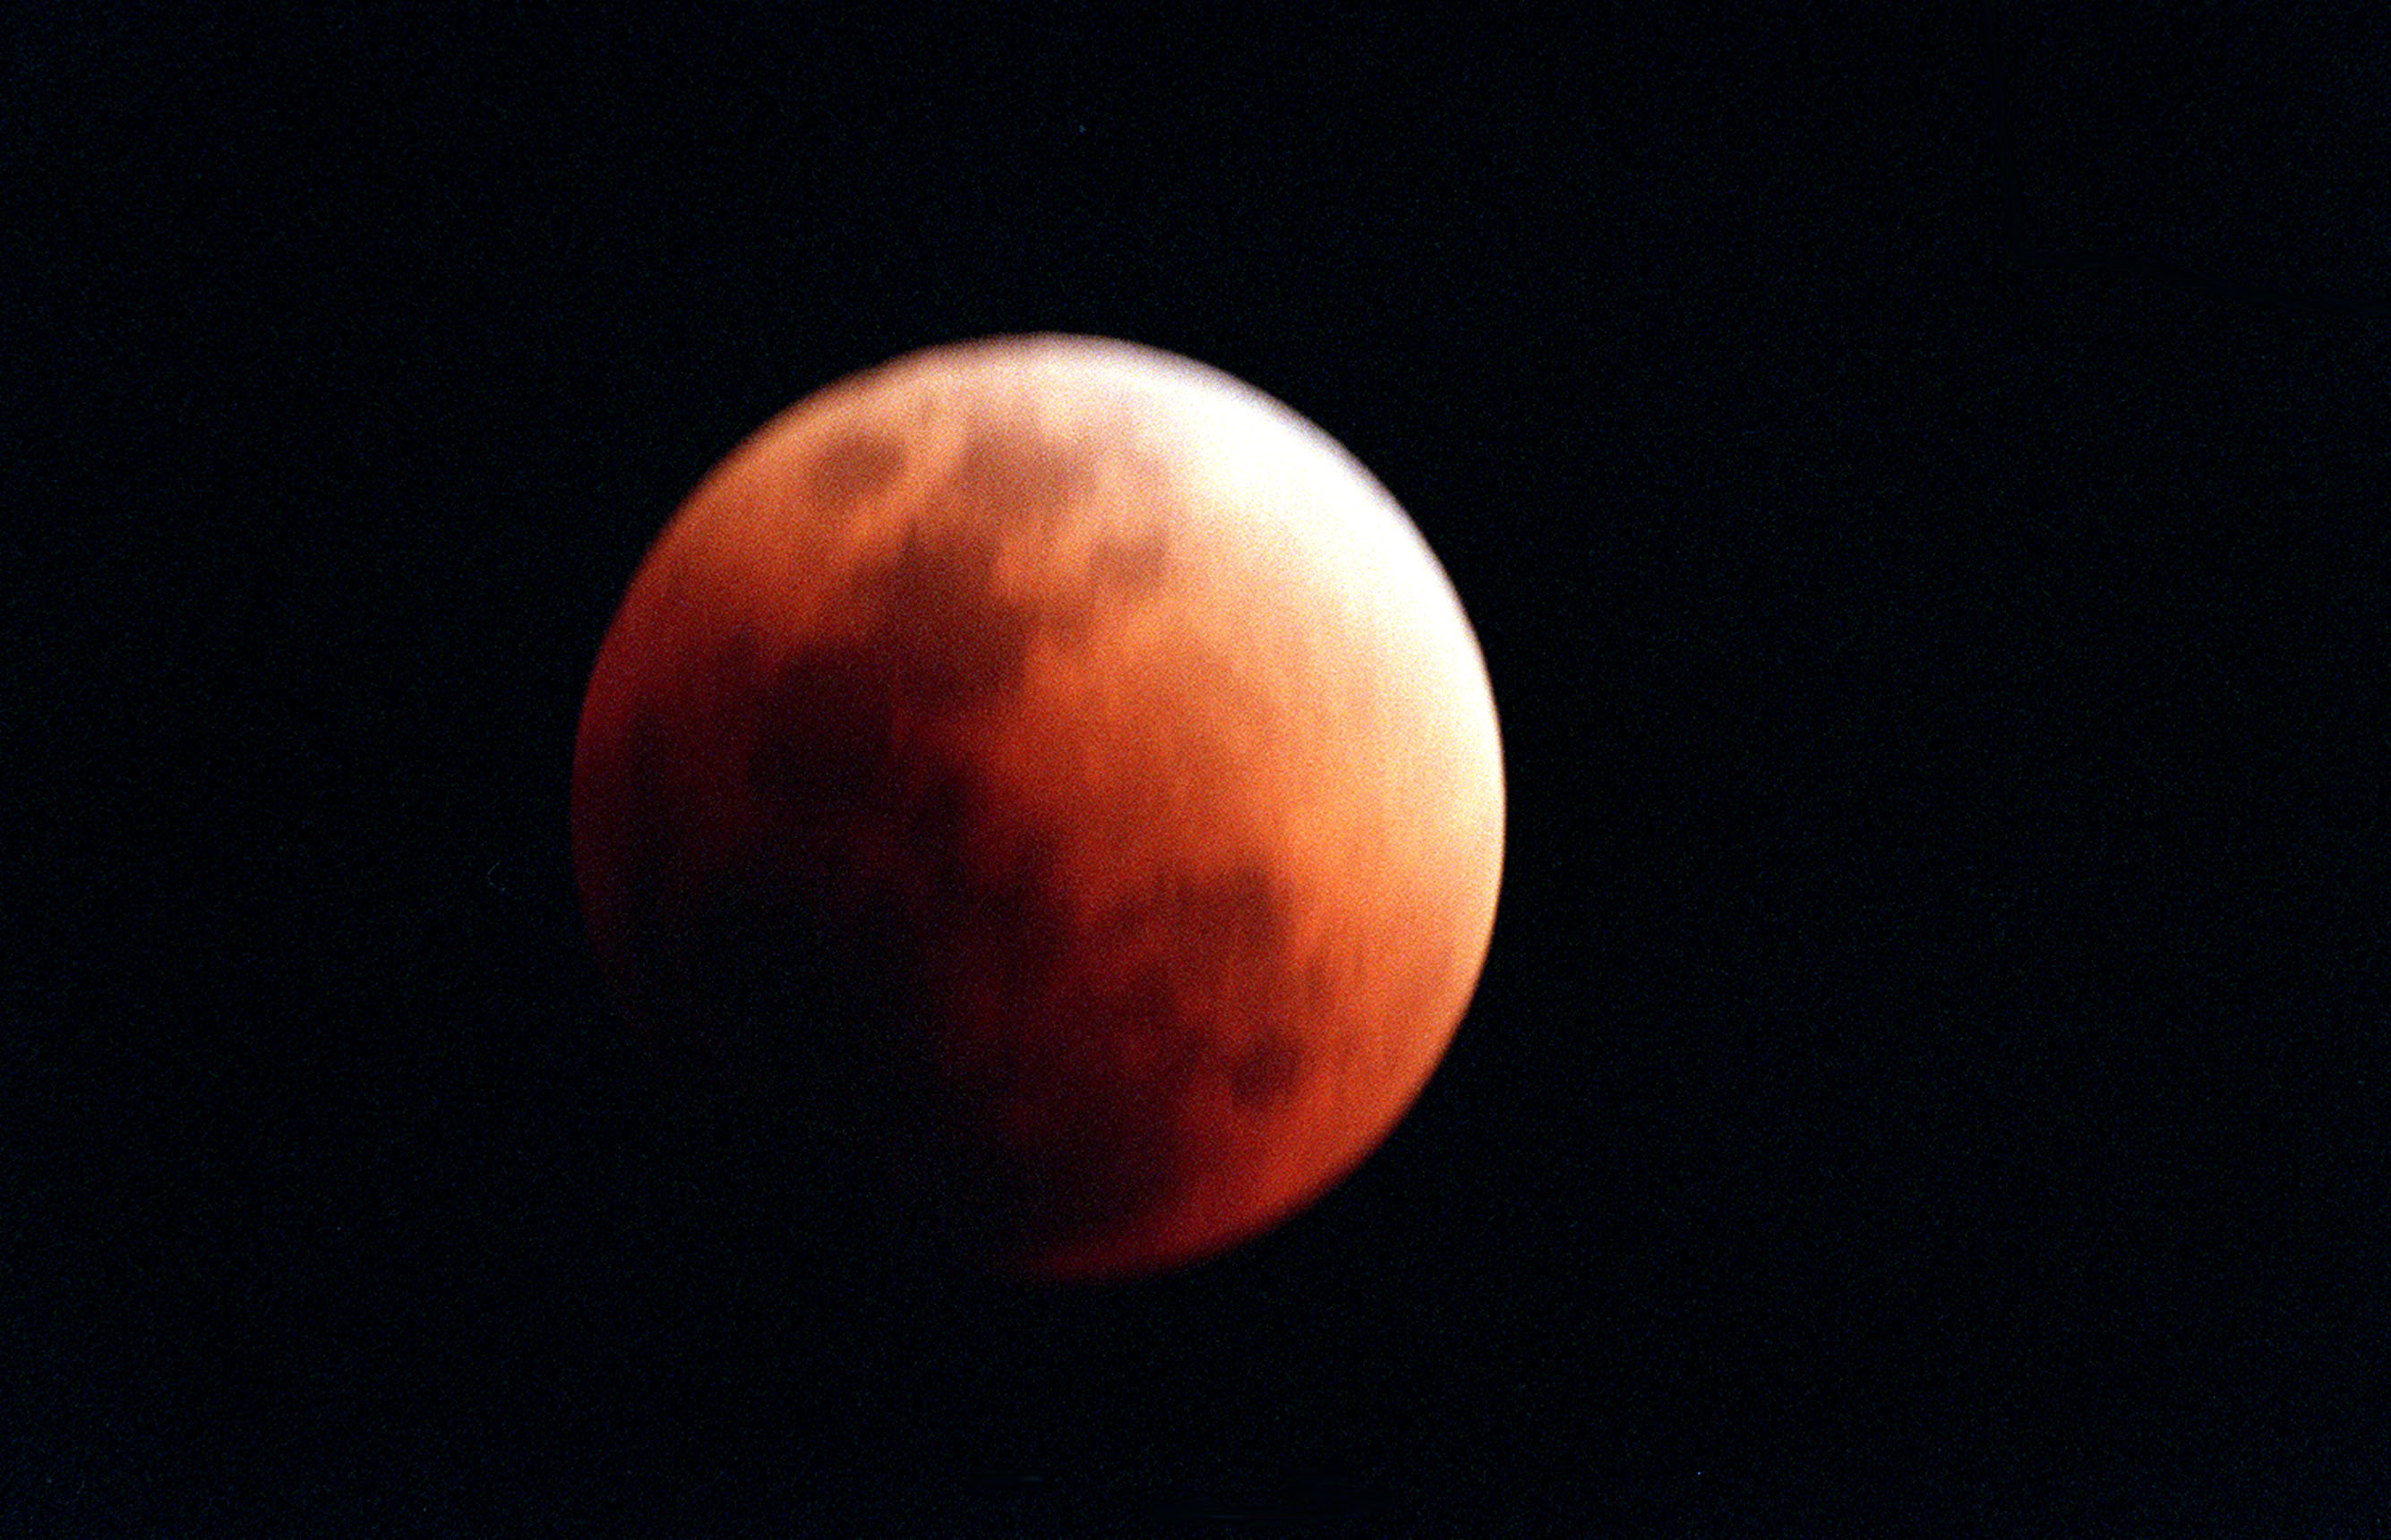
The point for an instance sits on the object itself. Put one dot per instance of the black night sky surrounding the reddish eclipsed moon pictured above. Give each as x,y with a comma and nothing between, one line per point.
1919,487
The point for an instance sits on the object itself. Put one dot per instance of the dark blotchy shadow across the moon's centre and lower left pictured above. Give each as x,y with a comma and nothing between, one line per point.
891,998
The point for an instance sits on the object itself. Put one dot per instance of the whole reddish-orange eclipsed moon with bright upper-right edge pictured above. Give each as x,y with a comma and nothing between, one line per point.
1058,786
